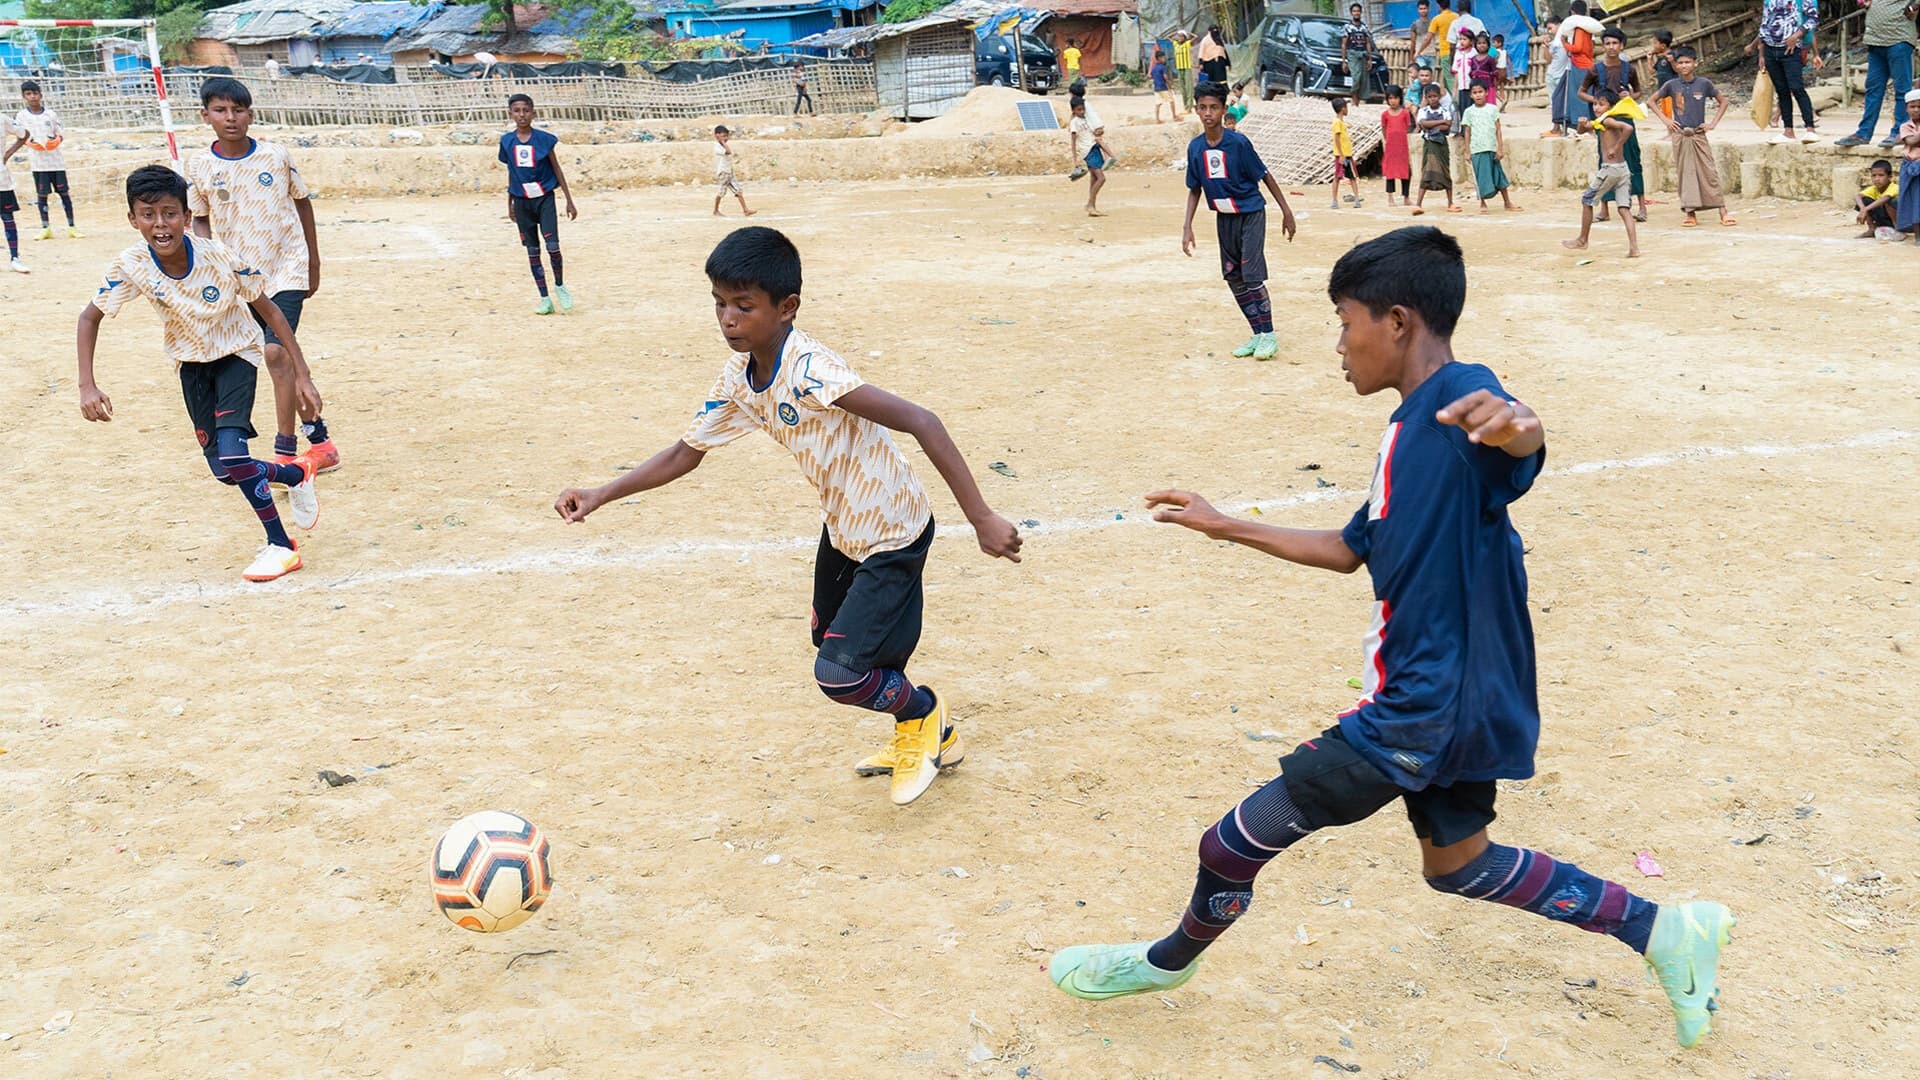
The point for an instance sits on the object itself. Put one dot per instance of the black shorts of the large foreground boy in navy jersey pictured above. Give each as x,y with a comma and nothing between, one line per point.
1333,785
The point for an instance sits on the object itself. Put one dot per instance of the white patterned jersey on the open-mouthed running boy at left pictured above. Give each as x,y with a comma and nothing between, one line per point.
206,312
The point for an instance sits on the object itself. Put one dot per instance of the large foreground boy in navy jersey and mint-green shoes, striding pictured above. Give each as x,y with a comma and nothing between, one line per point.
1449,695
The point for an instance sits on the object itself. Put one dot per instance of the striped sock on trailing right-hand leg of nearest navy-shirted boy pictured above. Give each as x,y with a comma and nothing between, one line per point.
1535,881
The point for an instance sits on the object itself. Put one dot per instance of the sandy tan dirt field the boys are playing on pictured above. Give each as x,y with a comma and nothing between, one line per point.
1723,583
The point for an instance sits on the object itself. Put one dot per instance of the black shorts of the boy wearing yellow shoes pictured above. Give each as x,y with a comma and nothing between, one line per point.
869,614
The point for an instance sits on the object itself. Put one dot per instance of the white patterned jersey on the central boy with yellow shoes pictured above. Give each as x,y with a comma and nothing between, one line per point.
869,493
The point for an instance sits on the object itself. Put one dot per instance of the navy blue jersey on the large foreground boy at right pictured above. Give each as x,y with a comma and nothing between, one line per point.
1449,685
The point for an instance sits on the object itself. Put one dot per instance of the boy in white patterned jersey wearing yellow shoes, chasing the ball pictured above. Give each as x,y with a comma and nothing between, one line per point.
878,518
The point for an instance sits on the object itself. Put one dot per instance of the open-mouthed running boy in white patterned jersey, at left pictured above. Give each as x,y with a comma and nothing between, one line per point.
203,293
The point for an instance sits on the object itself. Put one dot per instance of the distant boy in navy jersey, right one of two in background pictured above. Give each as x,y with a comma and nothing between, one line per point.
1224,168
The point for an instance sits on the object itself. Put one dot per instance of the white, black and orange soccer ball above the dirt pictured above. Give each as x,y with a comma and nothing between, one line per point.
491,871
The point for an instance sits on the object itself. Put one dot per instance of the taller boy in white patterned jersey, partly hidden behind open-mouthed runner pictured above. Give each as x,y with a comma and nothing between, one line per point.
254,197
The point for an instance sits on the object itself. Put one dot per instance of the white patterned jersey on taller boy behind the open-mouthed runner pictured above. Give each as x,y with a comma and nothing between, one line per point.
251,205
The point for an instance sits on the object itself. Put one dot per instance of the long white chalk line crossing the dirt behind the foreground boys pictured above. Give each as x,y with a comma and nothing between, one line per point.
118,604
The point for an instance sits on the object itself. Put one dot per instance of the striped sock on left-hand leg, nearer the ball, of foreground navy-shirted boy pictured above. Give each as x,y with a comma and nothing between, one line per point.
1232,856
